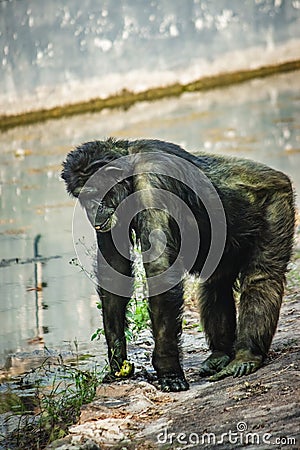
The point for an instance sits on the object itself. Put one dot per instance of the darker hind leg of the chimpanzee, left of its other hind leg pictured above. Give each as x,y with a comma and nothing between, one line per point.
218,316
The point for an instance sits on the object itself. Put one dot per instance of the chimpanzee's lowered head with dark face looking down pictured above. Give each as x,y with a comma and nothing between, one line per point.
94,176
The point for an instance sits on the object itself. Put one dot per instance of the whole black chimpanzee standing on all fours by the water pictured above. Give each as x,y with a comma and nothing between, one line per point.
185,205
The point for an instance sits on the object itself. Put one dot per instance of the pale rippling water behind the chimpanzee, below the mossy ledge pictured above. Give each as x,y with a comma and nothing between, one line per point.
53,303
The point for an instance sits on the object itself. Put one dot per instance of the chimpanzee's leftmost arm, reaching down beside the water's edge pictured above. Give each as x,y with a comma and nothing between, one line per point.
113,303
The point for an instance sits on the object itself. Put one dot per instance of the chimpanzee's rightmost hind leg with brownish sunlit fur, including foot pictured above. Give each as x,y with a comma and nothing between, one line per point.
262,287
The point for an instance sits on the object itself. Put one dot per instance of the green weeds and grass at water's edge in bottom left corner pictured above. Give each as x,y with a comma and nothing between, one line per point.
57,405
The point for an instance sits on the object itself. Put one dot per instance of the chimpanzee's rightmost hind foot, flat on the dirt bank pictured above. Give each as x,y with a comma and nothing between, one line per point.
243,364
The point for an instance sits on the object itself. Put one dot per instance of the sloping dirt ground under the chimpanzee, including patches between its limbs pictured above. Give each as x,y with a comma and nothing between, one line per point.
257,412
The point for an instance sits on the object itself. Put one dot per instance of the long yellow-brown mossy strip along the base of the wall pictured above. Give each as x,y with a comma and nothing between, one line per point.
126,99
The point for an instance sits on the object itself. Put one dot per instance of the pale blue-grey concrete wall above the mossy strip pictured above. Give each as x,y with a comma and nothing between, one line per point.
55,53
